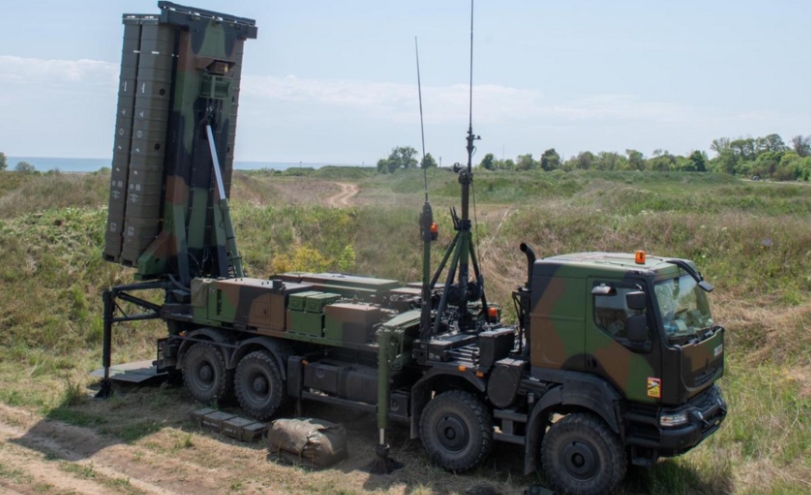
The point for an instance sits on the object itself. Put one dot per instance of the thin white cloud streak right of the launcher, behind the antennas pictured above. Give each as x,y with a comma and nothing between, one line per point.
492,103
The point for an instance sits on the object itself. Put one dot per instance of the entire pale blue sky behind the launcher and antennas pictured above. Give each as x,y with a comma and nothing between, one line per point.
336,82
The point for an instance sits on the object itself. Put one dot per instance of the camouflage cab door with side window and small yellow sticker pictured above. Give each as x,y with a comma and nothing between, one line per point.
631,367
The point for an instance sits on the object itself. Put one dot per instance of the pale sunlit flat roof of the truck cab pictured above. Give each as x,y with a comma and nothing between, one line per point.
611,262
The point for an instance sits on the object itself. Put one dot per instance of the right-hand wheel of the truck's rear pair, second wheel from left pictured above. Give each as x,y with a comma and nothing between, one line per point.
259,385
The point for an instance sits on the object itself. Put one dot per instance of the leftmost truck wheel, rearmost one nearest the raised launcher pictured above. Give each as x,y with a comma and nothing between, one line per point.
204,374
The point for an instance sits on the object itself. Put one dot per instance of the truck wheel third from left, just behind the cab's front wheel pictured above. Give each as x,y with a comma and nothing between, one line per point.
456,430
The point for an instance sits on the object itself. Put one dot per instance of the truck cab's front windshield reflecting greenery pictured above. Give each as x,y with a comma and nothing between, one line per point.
684,308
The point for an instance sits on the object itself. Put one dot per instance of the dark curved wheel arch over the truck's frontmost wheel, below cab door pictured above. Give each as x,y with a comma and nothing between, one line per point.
575,394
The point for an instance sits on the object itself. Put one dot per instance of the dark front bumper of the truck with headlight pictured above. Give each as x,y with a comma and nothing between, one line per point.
705,413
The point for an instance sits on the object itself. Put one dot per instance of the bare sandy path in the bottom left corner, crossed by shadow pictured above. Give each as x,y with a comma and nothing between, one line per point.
38,454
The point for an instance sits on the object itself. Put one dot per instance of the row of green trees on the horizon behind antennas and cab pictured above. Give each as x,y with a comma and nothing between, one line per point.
764,157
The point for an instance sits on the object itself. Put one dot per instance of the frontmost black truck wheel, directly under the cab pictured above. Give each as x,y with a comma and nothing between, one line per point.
582,456
